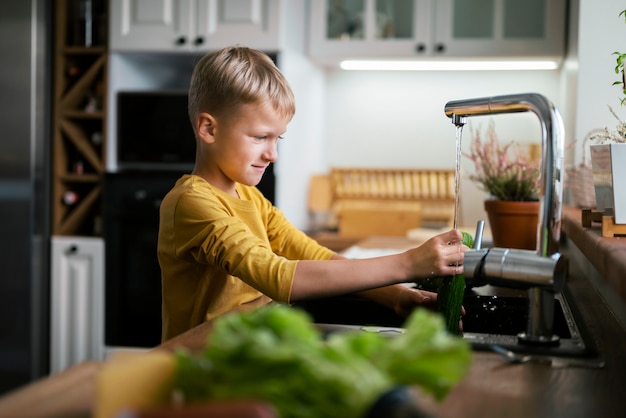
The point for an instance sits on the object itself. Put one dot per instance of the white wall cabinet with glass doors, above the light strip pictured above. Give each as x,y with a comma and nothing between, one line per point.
342,29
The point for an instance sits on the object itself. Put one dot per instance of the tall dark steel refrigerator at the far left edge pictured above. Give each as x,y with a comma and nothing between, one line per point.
25,113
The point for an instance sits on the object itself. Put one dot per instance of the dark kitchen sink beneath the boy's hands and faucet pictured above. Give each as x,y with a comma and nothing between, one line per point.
493,316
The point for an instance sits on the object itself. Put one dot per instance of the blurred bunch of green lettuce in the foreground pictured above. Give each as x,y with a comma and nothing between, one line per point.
277,355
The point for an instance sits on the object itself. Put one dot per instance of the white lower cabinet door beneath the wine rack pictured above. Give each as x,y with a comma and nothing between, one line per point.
77,301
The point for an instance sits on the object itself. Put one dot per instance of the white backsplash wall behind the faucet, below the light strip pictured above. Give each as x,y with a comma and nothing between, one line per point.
396,119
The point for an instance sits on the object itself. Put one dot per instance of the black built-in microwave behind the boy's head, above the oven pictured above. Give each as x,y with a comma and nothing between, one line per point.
153,131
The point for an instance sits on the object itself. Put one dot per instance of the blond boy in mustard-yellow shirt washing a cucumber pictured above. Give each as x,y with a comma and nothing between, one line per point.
222,245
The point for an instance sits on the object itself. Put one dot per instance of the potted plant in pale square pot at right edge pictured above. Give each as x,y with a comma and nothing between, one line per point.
608,157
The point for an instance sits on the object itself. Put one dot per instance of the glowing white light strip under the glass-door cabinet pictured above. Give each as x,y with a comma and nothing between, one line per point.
381,65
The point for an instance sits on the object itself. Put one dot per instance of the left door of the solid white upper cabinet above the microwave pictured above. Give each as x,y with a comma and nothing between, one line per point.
150,25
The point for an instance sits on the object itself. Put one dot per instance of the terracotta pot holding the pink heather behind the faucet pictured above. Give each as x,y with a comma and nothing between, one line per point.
513,224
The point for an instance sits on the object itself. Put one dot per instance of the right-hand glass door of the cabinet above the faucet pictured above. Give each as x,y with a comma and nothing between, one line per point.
500,28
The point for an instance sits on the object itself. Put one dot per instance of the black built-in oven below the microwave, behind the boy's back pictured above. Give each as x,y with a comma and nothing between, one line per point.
133,277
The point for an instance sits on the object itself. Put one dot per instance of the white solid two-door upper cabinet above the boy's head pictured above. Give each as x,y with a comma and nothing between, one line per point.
193,25
